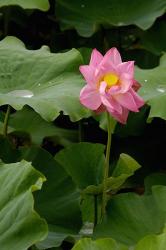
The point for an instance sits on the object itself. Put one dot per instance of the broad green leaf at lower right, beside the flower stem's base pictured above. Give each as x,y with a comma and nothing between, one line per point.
130,217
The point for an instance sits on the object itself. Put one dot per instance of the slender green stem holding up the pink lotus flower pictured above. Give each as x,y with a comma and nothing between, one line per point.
106,167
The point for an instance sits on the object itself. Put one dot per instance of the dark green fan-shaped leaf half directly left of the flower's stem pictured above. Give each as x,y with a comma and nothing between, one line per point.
83,162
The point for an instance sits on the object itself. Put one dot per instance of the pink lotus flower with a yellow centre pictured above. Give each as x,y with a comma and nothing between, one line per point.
110,85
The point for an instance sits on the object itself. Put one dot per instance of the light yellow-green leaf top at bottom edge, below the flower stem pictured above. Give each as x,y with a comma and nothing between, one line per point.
100,244
